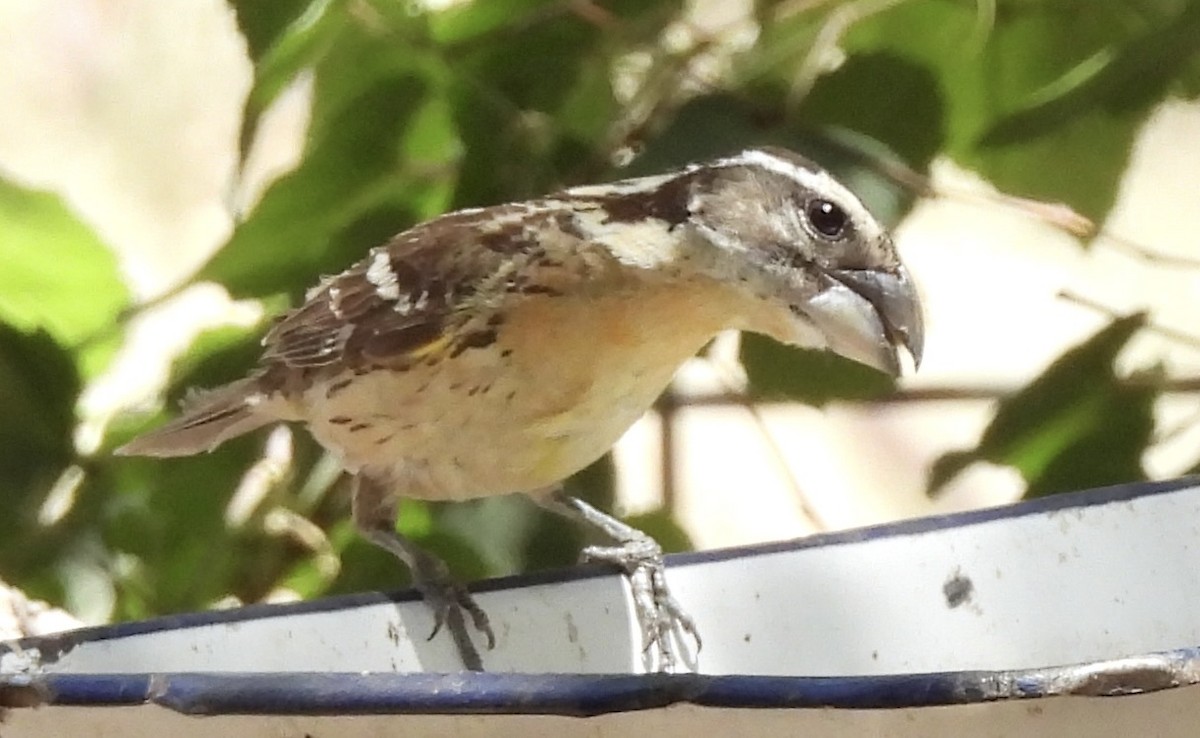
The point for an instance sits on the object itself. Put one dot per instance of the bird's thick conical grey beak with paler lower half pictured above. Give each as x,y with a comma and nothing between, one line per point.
868,315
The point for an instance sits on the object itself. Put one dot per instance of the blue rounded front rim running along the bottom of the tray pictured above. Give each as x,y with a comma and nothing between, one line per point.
339,694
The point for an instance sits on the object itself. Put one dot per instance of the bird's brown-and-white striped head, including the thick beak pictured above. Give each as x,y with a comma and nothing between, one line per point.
791,235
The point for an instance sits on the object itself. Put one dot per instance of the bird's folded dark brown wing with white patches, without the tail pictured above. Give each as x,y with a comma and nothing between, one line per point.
447,274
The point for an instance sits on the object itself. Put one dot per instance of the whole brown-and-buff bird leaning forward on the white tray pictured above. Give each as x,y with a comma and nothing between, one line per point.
496,351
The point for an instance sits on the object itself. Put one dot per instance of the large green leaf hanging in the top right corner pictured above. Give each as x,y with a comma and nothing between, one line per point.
1030,64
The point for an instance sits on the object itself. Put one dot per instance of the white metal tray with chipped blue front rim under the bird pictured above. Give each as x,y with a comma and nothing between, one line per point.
1102,585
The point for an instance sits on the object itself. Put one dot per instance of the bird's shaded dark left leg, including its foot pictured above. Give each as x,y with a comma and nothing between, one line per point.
375,514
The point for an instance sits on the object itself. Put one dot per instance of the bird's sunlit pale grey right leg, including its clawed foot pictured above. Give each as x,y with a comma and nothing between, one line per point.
640,557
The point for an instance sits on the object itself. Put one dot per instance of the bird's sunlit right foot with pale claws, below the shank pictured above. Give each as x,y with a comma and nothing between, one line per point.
664,623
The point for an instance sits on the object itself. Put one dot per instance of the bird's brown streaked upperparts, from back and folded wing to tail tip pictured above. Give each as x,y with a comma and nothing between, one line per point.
433,292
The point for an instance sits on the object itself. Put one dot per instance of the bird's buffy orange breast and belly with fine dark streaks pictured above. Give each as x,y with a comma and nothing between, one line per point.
563,381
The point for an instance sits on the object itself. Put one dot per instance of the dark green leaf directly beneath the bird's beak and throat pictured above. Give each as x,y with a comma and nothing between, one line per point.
814,377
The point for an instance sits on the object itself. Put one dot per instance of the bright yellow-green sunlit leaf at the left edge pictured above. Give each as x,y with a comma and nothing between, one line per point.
58,275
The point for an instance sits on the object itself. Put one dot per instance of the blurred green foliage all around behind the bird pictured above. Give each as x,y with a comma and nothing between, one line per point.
417,112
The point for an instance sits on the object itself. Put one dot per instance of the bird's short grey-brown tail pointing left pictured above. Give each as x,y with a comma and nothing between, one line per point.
209,419
